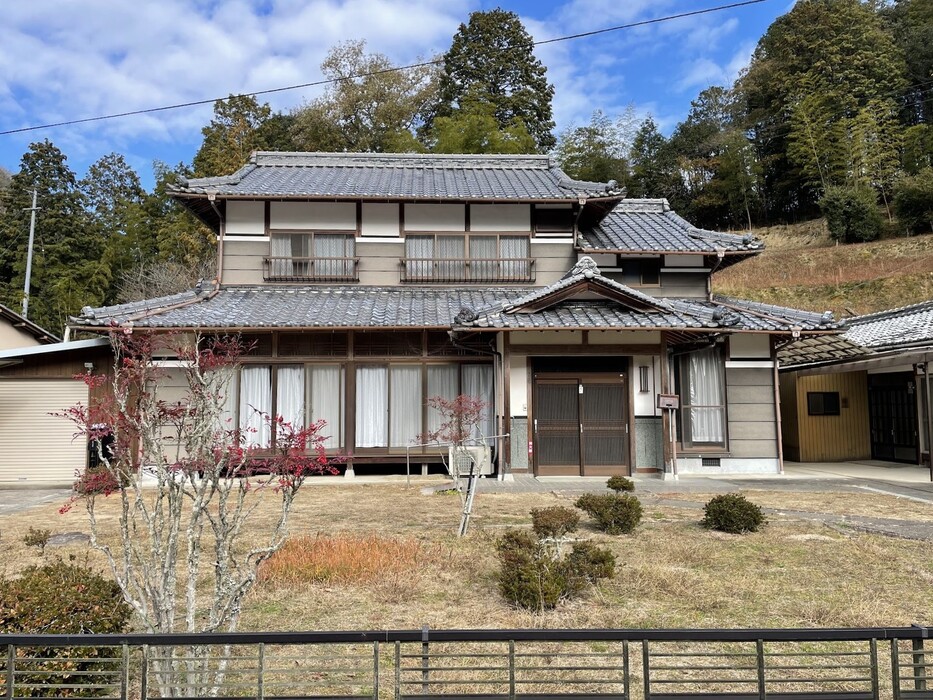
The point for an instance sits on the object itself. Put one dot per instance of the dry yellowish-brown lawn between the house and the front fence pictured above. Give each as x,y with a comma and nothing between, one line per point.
671,573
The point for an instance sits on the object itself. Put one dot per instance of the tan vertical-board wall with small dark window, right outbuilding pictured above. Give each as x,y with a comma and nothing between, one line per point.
835,438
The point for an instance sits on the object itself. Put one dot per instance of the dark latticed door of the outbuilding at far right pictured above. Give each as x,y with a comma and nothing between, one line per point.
892,408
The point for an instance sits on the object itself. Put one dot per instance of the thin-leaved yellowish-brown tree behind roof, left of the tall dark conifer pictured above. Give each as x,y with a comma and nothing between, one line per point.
369,106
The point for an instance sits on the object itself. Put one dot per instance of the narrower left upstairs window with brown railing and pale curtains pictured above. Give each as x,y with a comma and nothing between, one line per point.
308,257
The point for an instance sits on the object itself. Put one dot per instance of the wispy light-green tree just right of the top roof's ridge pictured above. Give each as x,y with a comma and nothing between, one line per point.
595,152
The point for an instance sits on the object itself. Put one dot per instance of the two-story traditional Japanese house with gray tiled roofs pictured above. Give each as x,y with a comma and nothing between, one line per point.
371,283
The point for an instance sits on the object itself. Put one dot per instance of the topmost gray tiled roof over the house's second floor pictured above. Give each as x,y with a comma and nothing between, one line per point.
398,176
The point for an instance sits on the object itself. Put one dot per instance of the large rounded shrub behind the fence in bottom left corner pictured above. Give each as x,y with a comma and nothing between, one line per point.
62,598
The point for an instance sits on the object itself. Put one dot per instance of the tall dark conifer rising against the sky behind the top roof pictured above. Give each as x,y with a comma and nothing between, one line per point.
491,60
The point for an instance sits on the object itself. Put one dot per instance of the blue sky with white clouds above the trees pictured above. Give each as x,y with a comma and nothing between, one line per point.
72,59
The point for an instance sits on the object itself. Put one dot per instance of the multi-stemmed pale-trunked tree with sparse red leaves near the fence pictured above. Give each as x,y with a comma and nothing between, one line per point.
189,489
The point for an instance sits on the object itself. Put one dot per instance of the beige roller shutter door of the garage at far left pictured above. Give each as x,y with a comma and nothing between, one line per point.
36,447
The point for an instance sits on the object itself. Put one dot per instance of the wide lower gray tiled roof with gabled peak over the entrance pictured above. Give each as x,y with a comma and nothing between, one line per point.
582,299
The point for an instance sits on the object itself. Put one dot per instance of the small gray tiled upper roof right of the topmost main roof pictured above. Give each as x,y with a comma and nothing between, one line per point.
649,225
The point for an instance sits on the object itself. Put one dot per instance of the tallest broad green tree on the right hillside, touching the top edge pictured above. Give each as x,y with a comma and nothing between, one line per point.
812,73
